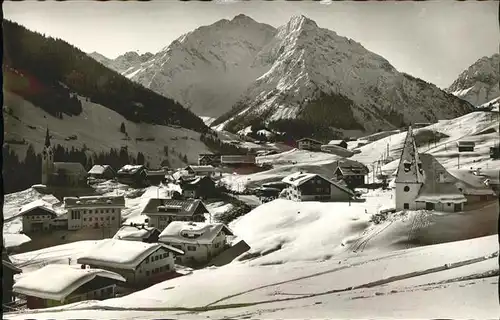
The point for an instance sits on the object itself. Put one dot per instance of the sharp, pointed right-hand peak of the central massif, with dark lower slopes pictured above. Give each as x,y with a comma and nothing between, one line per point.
331,81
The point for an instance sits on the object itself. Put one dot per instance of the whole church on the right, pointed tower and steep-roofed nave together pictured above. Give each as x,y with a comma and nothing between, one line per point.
423,183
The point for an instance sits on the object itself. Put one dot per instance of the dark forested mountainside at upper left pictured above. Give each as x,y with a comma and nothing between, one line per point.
50,73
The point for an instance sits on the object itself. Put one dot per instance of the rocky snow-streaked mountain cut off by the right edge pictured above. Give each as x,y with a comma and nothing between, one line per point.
479,83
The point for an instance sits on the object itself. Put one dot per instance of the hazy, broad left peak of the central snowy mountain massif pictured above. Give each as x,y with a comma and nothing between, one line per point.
207,69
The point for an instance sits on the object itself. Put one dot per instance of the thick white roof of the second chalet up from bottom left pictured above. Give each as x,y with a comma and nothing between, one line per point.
121,254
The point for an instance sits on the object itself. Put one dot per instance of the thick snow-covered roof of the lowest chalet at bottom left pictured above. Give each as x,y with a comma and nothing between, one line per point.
57,281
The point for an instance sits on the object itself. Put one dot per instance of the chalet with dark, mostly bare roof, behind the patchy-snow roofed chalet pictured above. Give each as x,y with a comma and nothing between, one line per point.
161,212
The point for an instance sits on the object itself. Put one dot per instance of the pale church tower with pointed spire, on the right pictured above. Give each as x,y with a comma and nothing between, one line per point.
410,175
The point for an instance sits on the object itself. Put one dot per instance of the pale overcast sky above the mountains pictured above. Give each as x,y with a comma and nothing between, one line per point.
431,40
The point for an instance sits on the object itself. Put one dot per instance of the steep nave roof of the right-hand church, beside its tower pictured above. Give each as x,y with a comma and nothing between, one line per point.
439,185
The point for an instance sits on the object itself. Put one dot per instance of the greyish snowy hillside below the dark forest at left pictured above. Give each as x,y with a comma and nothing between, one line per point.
108,136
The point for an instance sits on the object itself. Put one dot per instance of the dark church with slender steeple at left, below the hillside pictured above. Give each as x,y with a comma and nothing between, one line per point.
61,174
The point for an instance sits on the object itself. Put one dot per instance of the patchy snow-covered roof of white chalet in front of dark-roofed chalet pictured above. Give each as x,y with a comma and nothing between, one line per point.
192,232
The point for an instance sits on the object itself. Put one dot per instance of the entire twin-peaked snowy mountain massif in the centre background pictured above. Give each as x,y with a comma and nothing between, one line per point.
247,73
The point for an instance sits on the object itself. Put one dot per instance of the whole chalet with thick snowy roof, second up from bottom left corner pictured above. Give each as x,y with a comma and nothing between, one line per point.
140,263
